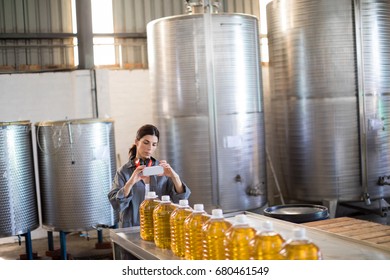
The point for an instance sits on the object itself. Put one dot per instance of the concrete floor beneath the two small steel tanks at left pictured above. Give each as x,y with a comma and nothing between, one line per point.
78,247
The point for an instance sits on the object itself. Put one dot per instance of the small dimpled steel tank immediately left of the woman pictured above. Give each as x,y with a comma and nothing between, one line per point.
76,168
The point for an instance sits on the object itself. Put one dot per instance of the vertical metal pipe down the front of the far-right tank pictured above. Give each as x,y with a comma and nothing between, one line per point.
361,101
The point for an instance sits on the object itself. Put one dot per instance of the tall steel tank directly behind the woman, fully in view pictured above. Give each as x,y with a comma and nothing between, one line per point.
205,78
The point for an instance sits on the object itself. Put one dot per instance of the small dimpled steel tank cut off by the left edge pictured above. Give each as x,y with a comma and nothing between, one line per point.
18,198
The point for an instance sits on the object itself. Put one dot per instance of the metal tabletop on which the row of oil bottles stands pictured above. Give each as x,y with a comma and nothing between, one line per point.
333,246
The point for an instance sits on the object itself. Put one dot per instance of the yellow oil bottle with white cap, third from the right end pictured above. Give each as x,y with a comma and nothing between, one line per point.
237,239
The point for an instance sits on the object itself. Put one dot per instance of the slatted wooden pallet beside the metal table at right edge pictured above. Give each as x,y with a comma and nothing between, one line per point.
356,229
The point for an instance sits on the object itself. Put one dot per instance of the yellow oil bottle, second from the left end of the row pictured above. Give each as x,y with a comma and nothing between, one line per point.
162,229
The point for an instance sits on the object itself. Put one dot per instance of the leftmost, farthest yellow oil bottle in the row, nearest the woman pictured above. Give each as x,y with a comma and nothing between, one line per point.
146,216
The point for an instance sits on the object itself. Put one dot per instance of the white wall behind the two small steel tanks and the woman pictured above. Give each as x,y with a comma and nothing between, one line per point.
122,95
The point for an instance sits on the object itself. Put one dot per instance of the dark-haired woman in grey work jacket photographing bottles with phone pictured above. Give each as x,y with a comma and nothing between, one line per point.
130,186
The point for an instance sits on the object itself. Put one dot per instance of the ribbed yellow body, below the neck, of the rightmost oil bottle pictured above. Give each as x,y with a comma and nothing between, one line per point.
301,250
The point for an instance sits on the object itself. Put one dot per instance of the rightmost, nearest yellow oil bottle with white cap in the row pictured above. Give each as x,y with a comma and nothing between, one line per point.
300,247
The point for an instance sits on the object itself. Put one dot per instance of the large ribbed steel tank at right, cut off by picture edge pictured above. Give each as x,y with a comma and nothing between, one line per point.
330,84
